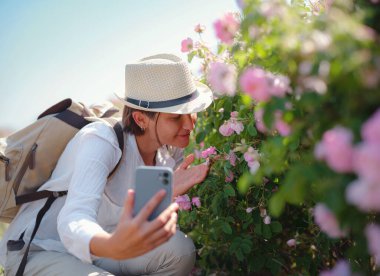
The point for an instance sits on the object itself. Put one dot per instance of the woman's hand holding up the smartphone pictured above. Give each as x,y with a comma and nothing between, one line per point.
135,236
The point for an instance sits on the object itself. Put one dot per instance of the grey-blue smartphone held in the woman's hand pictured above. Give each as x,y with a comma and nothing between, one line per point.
148,181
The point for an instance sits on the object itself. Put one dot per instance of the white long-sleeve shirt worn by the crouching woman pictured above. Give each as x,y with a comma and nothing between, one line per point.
94,203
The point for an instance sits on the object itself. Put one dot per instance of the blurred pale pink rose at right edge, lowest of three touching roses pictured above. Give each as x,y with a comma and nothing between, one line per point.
364,195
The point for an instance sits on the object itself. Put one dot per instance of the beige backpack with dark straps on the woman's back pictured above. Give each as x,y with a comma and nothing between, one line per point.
29,156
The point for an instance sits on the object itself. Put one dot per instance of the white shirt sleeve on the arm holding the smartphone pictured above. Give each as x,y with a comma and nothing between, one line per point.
97,153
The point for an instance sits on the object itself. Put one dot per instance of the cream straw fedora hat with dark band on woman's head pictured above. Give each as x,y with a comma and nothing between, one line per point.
163,83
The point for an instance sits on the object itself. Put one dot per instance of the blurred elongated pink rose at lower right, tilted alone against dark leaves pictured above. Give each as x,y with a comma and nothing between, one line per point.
327,221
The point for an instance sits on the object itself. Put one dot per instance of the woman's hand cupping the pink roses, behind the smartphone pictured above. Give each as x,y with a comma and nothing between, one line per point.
185,178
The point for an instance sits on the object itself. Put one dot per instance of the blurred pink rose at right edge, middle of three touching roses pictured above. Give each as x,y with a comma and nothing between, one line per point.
366,161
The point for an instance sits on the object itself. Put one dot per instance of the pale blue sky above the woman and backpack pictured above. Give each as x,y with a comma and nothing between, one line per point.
51,49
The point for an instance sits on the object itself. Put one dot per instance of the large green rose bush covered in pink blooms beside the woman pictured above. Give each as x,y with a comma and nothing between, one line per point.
293,138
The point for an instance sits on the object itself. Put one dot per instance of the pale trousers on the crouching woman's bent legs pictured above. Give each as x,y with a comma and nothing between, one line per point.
175,257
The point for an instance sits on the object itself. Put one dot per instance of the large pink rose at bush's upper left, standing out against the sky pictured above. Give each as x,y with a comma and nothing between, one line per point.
226,28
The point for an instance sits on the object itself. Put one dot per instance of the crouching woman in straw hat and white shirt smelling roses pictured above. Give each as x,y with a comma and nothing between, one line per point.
92,230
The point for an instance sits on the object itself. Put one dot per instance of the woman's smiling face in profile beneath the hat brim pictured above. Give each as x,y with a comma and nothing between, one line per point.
173,129
